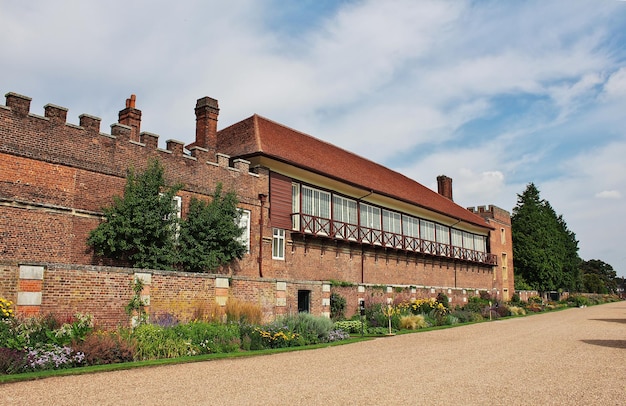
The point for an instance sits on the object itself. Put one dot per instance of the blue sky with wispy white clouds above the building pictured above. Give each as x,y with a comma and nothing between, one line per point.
494,94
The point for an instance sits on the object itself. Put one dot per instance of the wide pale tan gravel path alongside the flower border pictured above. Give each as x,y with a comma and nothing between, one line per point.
575,356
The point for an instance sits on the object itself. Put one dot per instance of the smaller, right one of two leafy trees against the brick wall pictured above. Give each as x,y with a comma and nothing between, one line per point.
209,237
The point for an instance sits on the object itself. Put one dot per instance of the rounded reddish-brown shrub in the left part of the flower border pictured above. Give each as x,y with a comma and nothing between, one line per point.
106,348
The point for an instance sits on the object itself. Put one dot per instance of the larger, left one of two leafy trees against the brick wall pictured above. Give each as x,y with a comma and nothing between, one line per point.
138,227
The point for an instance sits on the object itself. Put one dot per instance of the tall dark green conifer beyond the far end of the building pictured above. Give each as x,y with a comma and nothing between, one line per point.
545,252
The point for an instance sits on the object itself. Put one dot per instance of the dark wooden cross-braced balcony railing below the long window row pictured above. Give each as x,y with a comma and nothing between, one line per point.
319,226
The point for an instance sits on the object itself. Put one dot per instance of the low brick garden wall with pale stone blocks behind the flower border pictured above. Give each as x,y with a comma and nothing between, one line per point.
103,292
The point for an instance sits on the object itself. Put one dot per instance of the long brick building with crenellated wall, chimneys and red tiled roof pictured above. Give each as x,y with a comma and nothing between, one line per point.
314,215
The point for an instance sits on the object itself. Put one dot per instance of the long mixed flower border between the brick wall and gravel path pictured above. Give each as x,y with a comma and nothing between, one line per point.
64,346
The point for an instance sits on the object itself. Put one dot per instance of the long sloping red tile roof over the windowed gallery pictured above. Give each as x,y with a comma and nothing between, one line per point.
257,135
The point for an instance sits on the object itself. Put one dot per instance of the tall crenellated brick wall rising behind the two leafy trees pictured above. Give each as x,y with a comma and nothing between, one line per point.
55,177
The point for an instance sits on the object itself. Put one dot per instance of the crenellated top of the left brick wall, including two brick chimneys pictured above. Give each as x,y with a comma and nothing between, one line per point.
53,132
